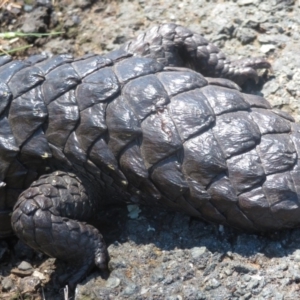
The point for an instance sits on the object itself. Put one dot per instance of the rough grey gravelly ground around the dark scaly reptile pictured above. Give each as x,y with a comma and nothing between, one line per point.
157,254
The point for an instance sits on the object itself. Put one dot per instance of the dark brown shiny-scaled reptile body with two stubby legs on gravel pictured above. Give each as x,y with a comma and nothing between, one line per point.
157,122
